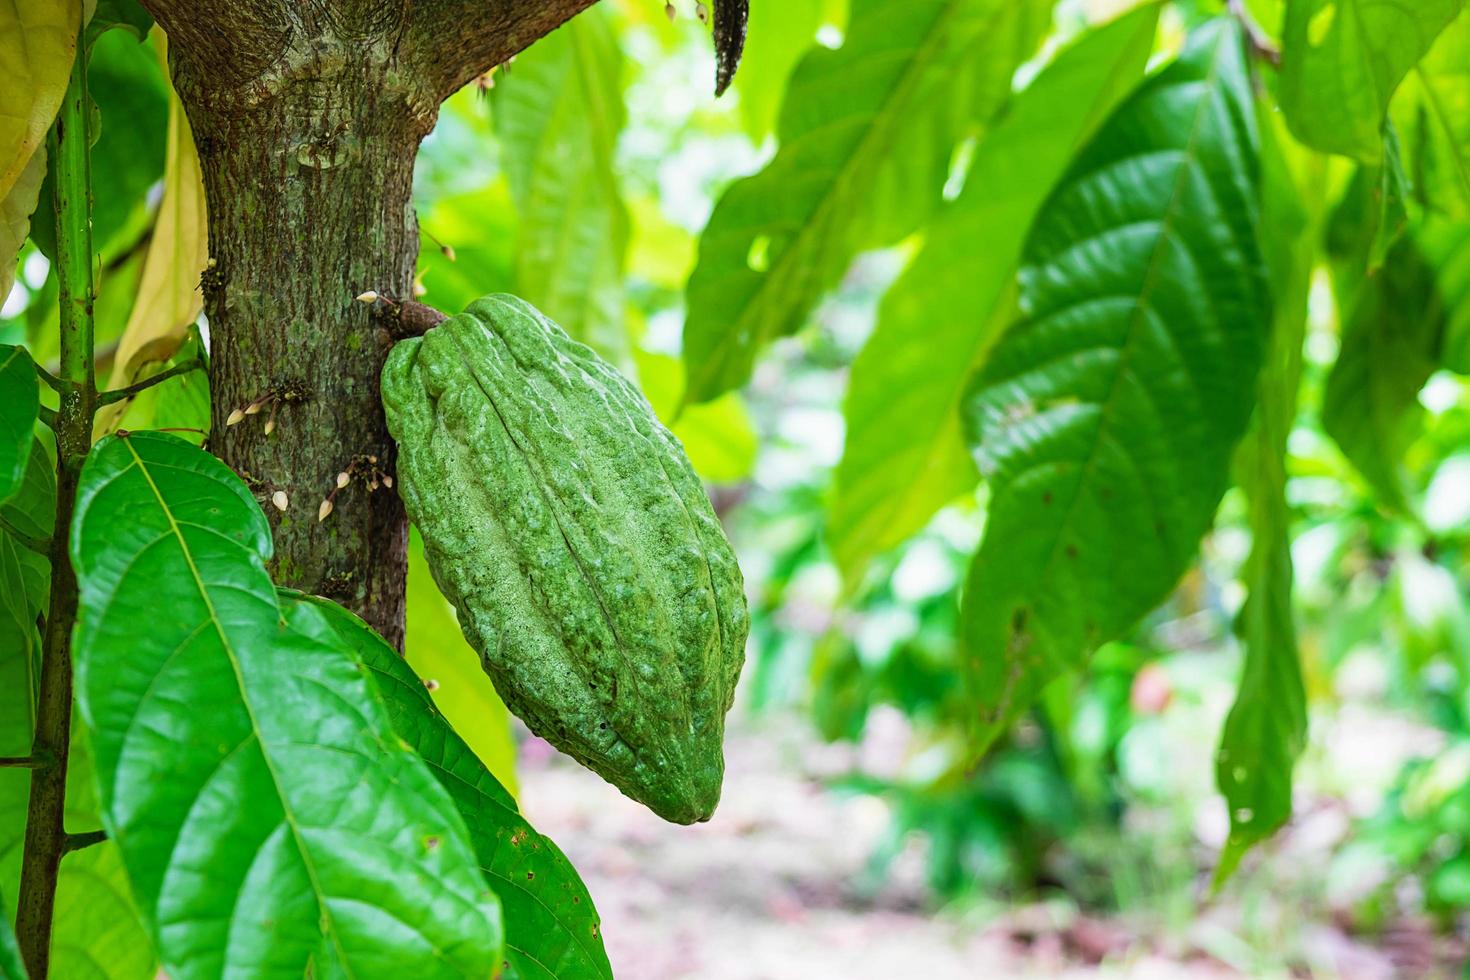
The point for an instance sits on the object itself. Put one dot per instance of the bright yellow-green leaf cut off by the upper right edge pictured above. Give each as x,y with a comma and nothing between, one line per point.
1434,114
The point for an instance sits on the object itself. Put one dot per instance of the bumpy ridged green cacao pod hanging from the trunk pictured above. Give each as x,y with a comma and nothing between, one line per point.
578,547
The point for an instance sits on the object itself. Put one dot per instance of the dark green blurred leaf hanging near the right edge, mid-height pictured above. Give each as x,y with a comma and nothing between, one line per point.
1393,336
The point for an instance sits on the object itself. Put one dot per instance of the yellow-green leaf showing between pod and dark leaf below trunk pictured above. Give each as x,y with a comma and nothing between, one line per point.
437,652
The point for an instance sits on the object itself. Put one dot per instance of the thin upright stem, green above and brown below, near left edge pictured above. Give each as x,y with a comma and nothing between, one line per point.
45,832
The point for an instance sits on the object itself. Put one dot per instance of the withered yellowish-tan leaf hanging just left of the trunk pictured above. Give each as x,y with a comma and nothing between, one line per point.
168,299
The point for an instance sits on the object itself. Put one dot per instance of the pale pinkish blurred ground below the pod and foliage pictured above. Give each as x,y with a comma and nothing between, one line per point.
767,893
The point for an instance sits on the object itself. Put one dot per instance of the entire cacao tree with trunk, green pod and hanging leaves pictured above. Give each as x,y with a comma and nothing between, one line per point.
224,752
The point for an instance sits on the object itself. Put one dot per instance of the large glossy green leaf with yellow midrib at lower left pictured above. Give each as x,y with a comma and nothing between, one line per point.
270,819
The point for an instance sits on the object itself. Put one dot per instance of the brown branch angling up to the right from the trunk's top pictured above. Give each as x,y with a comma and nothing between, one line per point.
459,40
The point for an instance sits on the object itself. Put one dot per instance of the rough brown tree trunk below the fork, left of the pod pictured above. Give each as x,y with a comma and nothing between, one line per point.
309,184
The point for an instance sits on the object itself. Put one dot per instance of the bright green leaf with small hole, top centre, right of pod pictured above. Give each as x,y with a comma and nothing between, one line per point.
867,137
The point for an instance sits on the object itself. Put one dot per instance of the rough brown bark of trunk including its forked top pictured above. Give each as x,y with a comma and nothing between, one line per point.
308,117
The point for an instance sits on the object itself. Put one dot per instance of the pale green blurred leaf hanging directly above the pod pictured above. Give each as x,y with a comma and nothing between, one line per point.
559,115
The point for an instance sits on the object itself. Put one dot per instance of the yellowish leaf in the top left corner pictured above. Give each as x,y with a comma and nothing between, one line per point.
37,43
